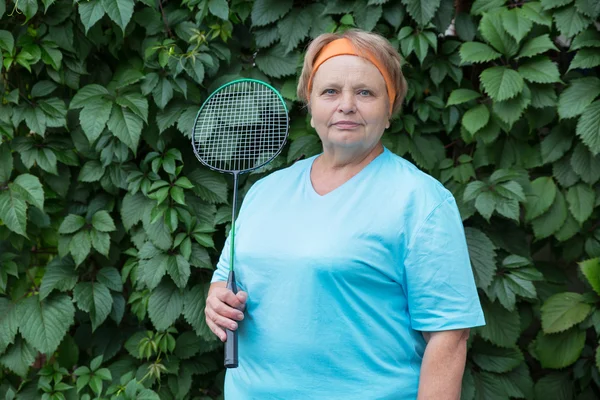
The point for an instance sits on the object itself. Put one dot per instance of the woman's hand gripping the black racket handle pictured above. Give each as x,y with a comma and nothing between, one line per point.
223,309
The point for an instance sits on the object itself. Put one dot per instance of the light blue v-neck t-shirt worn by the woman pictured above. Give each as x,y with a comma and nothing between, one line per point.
340,285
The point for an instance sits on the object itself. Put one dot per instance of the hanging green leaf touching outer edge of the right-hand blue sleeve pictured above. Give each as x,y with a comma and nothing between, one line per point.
482,253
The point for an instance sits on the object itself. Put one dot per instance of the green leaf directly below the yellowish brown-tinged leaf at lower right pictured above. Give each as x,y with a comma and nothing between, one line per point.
559,350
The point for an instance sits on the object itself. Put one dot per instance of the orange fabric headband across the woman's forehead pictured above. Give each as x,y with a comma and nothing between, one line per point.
342,47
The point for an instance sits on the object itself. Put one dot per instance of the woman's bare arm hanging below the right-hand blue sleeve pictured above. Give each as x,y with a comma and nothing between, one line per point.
443,365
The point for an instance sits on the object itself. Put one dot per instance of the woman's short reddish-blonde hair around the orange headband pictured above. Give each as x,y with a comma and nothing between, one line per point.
364,42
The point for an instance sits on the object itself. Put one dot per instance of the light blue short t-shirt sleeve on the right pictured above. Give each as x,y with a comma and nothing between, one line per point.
439,281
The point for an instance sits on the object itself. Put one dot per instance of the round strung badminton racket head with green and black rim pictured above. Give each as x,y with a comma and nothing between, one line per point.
241,126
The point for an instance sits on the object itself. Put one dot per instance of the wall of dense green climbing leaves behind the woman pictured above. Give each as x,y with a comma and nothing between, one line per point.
109,228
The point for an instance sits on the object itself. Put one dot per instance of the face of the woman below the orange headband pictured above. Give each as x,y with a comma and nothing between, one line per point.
349,104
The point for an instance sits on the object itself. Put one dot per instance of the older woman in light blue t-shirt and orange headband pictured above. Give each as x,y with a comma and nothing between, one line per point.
353,265
